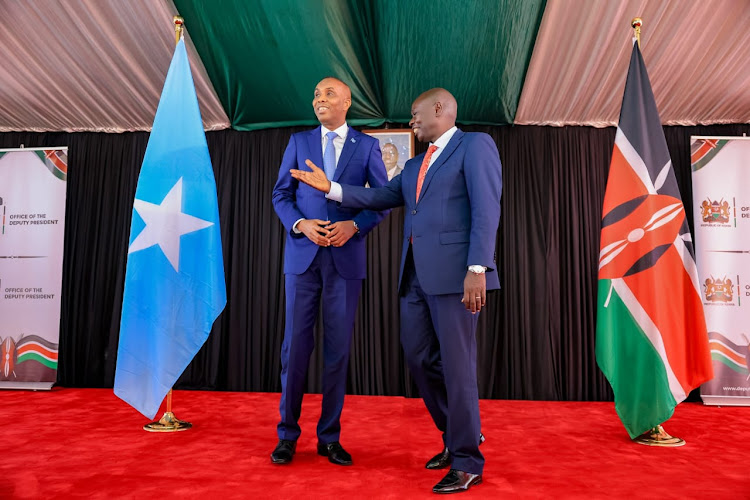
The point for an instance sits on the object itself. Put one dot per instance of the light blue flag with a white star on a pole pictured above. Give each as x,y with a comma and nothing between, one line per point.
174,282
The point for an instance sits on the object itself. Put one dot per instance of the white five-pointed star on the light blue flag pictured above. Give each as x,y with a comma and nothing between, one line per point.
165,224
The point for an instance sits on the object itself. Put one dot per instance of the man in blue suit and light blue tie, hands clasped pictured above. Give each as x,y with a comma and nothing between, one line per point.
324,257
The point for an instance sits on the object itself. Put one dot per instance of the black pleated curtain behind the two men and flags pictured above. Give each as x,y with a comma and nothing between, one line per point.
536,337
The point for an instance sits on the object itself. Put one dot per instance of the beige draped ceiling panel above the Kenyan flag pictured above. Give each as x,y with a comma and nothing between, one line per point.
697,54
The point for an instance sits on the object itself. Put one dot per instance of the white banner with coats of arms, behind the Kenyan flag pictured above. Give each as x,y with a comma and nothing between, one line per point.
721,205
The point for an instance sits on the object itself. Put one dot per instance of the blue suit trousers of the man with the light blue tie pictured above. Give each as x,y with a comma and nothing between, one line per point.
340,298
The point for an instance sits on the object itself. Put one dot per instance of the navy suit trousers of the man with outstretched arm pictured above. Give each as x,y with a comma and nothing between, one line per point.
438,335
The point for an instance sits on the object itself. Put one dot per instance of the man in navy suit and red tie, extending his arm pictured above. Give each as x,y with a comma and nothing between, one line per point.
451,196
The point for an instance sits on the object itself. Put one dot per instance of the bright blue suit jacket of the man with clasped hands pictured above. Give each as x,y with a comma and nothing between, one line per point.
360,162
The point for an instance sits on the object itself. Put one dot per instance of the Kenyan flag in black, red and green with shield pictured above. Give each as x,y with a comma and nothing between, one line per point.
651,340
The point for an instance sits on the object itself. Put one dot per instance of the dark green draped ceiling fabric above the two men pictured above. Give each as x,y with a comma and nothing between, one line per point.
264,57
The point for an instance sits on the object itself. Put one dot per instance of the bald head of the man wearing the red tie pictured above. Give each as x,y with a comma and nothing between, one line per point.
433,113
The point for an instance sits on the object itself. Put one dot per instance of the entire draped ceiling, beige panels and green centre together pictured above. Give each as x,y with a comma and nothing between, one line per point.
100,65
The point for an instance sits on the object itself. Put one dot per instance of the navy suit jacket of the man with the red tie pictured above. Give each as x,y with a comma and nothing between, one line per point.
455,222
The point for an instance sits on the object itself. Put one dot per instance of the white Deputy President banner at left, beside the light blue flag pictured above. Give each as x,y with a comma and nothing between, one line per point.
32,223
